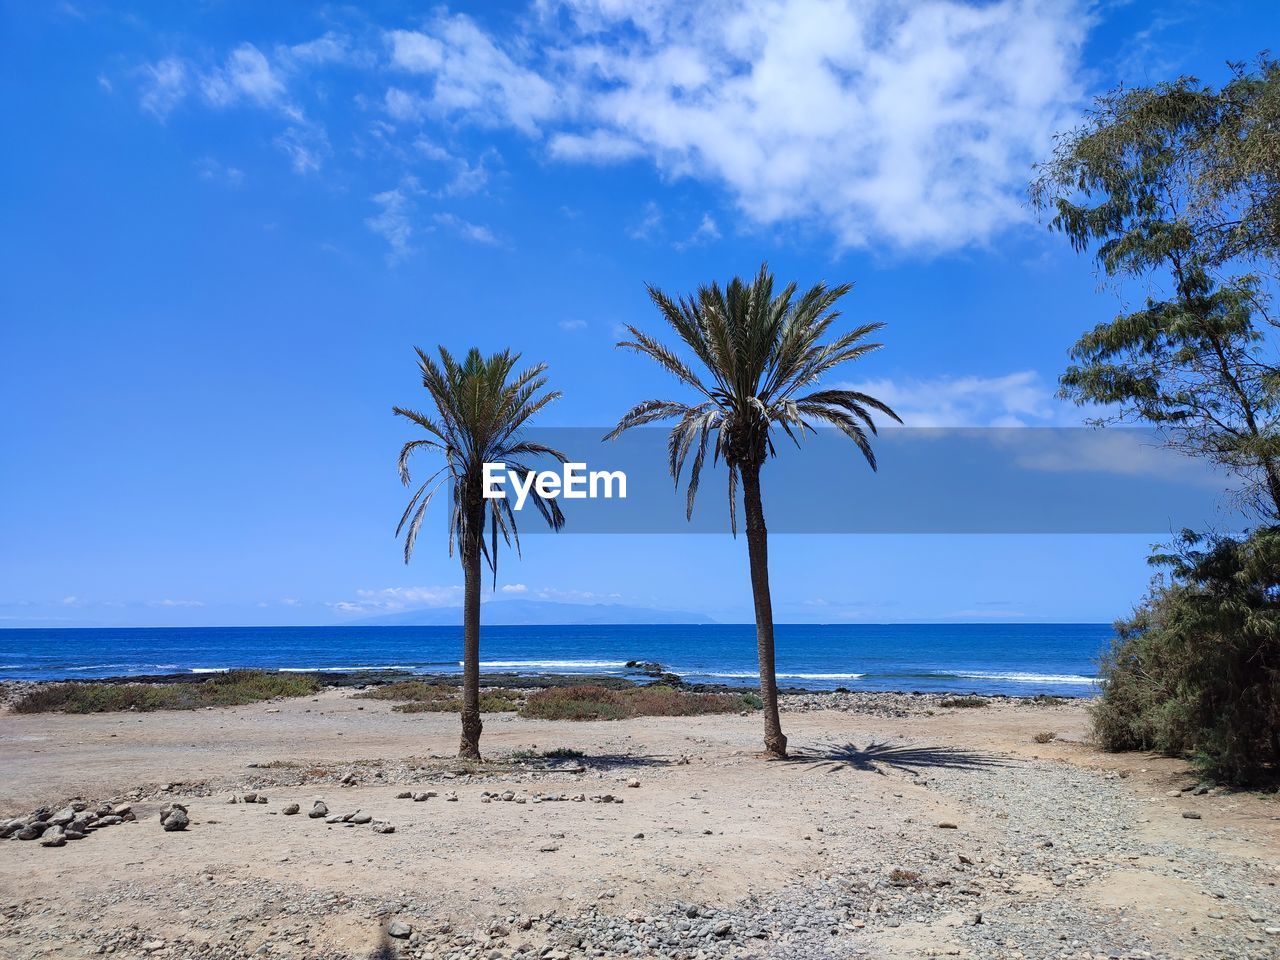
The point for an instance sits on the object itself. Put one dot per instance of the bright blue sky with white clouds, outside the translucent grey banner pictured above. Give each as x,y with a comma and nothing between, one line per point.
227,225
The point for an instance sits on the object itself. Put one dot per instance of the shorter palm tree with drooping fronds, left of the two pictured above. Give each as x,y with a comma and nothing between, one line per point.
481,410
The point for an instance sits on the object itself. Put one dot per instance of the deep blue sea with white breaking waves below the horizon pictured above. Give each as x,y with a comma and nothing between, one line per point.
985,659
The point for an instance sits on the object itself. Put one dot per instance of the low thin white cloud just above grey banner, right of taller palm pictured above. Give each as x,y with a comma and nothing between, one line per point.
1013,400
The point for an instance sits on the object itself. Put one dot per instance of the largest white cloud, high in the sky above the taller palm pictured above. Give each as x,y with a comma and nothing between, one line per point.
913,124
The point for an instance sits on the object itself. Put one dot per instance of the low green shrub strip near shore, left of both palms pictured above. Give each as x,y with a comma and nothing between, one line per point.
231,689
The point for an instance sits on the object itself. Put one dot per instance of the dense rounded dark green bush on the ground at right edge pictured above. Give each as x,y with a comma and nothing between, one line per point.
1196,671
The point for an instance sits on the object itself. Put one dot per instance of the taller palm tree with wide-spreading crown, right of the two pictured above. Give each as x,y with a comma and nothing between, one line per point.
760,353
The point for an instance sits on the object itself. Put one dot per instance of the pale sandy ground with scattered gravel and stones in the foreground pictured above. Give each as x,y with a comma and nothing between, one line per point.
903,830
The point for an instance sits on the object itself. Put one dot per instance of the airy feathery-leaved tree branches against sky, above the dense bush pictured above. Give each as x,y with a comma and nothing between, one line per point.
1180,186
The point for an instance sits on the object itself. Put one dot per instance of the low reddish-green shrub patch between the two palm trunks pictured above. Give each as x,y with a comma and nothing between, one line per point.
589,702
